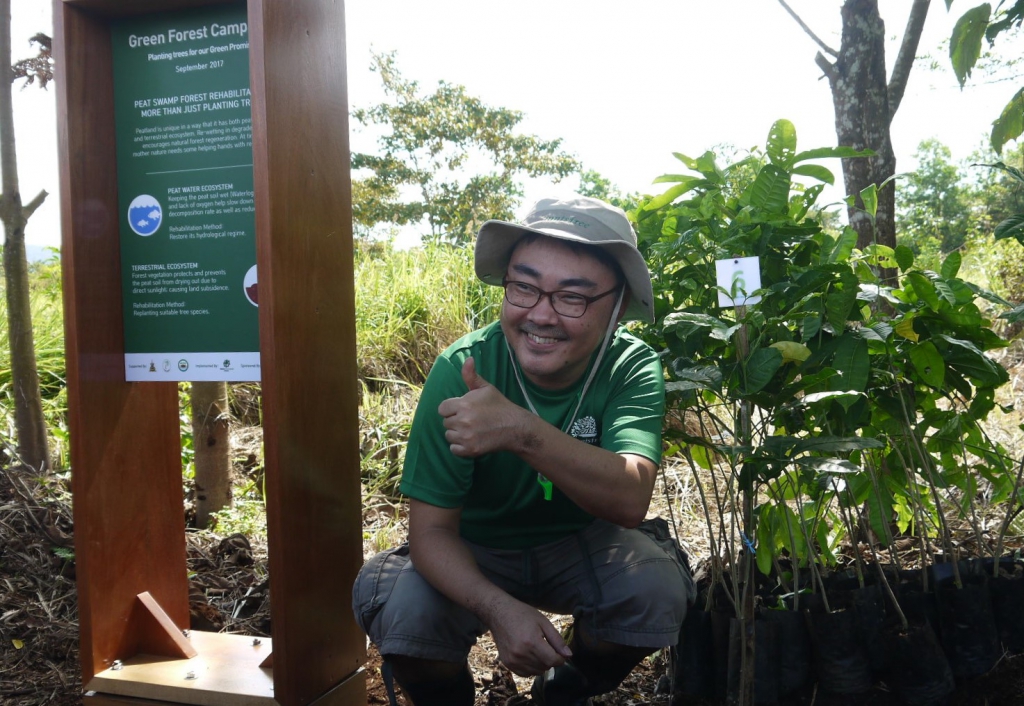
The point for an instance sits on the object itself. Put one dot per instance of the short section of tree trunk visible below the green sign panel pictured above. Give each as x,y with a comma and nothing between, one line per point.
214,465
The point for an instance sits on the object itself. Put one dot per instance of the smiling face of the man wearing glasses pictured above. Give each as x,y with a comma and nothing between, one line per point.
552,350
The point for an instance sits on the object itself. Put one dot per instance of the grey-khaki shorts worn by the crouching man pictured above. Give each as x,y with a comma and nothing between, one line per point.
624,587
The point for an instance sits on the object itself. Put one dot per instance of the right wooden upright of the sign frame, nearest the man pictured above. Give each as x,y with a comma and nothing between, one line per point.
308,341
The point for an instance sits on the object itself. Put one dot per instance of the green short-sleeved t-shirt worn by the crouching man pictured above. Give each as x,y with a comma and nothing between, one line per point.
502,503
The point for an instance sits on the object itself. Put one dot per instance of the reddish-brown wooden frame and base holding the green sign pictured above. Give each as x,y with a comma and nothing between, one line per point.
130,526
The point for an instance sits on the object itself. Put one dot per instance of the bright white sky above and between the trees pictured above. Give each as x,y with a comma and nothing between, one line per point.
624,86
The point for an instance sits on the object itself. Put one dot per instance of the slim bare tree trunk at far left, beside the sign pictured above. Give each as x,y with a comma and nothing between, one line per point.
29,424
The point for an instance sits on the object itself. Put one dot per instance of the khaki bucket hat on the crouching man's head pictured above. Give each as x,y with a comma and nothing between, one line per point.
580,220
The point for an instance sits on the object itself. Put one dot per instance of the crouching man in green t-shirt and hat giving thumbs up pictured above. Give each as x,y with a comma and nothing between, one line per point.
530,469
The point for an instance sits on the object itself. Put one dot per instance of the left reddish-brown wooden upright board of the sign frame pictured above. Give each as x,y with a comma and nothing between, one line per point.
125,446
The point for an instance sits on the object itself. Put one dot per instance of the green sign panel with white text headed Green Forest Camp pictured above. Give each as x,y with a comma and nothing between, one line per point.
186,193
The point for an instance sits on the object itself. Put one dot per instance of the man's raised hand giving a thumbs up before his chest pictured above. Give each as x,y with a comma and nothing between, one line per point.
483,421
